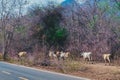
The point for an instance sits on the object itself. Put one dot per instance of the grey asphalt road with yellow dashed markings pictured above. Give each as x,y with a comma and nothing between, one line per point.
16,72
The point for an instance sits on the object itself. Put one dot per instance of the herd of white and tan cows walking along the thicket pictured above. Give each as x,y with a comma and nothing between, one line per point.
63,55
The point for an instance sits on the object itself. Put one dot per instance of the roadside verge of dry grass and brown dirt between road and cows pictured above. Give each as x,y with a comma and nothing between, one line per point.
97,71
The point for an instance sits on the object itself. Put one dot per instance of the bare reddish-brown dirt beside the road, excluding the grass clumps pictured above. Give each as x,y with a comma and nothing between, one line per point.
98,71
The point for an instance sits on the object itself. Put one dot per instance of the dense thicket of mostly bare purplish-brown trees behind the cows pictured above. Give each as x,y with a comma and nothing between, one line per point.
92,26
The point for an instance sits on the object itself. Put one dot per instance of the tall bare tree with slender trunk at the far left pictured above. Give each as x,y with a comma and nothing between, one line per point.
10,11
